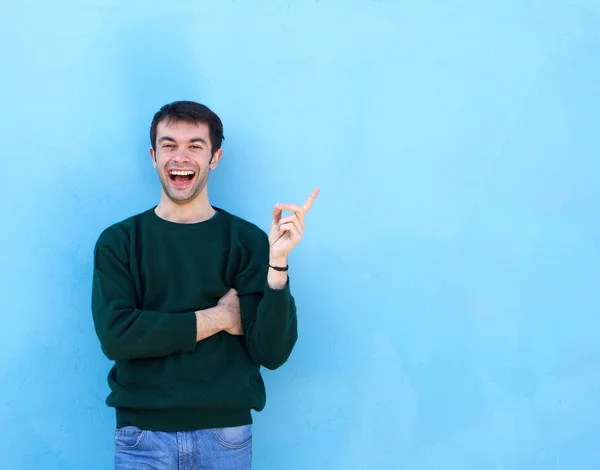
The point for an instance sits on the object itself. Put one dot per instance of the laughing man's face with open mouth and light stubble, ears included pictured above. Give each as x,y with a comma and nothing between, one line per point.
183,159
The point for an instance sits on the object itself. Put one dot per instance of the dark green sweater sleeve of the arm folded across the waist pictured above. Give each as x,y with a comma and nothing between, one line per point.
124,330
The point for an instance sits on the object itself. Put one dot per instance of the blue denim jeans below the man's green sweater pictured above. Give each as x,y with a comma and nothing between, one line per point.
208,449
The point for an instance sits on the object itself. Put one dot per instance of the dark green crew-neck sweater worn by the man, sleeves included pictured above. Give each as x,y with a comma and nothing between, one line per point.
150,276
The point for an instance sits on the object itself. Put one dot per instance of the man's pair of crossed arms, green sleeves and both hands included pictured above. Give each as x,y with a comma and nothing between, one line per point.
264,312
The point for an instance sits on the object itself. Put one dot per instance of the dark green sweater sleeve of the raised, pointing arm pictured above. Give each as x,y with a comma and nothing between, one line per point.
268,315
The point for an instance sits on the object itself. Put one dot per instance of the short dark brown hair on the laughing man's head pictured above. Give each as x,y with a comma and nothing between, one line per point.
191,112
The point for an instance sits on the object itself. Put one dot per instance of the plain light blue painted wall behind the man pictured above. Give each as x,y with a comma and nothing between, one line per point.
448,282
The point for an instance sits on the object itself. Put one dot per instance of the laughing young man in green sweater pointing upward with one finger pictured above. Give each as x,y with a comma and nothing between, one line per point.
189,301
